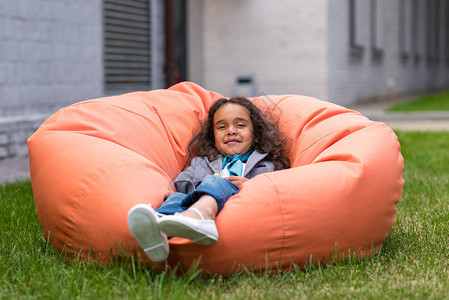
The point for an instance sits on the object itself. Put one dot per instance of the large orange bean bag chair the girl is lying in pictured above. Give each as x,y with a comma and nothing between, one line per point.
92,161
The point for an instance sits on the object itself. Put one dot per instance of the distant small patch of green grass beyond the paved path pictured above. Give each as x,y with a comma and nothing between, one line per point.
432,102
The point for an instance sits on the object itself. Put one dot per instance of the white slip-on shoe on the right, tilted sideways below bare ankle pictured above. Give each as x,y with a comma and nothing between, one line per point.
203,232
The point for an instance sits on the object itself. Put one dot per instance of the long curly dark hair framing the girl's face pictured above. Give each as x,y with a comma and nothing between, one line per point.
267,136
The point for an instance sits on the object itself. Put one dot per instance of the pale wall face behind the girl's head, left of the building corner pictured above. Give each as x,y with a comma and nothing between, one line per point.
281,45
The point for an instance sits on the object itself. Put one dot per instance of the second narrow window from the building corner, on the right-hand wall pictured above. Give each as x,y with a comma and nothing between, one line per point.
376,29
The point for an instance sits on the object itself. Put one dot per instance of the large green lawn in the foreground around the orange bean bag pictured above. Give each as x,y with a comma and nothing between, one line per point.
413,264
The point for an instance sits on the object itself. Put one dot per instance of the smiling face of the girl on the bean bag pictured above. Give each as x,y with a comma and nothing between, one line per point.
233,130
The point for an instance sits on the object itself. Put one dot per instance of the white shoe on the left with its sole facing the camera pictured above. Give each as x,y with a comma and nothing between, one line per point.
143,224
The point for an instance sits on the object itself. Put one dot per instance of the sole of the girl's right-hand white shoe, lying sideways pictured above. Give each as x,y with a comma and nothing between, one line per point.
178,228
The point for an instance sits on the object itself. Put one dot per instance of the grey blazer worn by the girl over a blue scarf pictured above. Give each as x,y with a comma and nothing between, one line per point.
200,167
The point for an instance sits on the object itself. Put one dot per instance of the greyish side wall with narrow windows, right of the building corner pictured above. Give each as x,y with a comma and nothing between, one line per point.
353,79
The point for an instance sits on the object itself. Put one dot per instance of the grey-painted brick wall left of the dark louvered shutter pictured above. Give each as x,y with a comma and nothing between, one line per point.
50,56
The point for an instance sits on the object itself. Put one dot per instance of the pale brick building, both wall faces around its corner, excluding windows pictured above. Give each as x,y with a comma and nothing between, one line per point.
302,47
